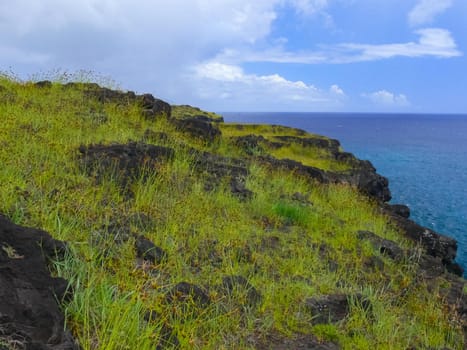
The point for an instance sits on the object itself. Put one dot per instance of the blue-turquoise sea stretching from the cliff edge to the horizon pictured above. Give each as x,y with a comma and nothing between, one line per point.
423,156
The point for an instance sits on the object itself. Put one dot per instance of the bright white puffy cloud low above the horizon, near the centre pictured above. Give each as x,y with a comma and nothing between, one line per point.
232,87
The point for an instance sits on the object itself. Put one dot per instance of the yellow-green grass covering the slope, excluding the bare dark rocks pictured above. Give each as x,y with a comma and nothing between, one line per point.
294,239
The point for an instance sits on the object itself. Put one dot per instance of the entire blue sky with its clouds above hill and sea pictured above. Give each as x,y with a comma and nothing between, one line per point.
397,56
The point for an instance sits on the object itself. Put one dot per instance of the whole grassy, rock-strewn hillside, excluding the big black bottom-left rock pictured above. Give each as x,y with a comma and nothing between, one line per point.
186,232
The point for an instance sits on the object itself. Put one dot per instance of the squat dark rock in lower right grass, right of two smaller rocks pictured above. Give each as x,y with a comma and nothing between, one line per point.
332,308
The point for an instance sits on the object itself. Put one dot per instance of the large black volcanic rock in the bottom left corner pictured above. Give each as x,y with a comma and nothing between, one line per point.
29,314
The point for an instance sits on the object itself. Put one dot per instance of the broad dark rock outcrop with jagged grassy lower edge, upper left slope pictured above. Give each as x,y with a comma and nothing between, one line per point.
124,162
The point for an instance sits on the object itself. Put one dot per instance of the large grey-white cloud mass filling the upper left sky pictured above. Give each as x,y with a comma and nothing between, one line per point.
157,37
